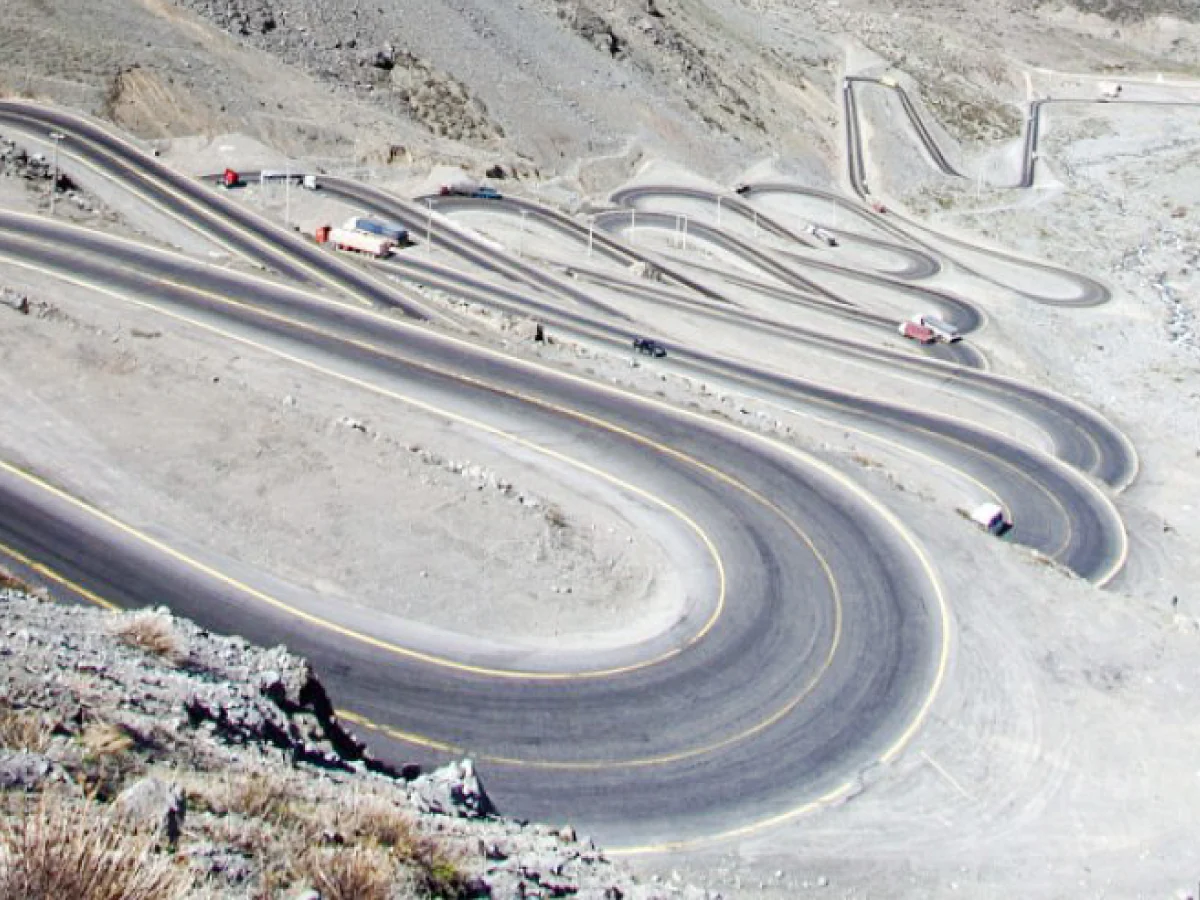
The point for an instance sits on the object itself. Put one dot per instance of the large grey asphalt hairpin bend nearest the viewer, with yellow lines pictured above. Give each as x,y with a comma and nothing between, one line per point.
770,646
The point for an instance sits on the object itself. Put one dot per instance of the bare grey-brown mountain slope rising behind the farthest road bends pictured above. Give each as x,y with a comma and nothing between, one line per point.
713,85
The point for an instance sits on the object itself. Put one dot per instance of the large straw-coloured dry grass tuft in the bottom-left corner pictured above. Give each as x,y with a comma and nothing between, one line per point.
56,850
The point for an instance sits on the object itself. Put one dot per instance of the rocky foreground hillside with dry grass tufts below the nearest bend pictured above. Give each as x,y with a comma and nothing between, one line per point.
146,758
